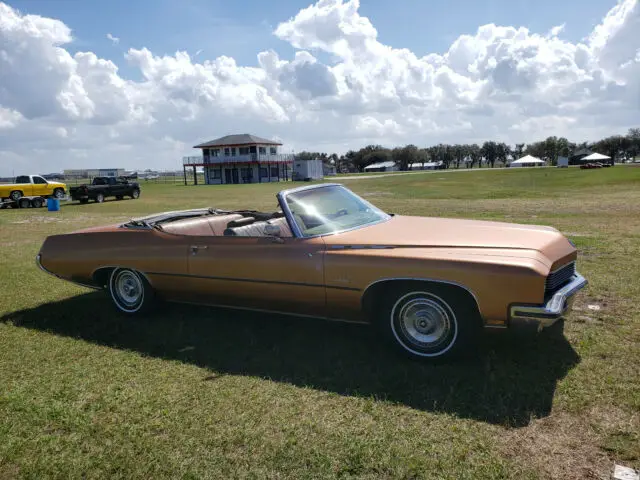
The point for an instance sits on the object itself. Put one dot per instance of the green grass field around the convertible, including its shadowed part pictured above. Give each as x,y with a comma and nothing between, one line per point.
208,393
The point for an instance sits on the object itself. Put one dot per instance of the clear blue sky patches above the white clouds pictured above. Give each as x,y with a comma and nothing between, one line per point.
242,28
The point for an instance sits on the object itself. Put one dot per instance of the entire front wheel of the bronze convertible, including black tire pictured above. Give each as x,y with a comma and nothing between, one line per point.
430,323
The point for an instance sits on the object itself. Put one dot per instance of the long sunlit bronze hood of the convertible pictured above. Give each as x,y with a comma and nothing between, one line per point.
407,231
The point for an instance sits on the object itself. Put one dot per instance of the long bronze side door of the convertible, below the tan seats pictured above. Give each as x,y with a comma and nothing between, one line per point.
266,273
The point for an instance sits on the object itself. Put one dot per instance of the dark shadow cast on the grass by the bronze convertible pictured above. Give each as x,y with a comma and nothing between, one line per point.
509,382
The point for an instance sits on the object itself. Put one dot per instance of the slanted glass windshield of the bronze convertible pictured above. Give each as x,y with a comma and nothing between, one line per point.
330,209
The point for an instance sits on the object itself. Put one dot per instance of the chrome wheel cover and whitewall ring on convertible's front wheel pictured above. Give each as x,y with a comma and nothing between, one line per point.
424,324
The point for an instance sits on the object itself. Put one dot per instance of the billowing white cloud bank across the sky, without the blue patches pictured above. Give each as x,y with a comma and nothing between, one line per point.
59,110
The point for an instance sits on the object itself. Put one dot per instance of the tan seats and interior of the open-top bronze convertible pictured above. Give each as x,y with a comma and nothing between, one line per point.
218,225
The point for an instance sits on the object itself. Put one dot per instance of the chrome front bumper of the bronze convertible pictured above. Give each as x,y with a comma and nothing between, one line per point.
546,315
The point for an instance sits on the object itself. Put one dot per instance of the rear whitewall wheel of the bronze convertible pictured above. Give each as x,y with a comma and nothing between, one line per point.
130,291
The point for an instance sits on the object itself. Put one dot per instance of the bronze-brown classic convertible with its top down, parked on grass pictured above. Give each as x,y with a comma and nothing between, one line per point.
430,285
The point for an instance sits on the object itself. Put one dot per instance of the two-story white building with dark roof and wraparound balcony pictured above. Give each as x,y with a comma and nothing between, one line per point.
241,158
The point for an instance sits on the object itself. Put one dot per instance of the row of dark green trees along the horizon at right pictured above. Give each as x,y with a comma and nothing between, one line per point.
617,147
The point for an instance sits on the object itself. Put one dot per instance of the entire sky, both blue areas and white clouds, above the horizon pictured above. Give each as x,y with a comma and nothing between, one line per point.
135,84
